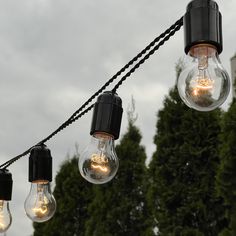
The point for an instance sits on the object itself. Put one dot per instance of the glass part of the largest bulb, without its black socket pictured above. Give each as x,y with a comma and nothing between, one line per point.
203,84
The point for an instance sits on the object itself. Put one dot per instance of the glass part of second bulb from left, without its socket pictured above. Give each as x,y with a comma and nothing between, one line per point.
40,204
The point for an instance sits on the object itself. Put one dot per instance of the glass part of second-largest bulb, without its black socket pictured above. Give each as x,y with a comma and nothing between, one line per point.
99,163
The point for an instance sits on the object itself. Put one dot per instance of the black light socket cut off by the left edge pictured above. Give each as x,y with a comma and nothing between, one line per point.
5,185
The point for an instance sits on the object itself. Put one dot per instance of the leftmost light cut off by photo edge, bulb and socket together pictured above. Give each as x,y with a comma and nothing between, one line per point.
5,197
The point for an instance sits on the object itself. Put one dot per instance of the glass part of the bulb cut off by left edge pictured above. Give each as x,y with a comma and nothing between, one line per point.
5,216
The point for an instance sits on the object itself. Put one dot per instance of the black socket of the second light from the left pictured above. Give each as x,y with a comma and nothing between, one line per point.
40,164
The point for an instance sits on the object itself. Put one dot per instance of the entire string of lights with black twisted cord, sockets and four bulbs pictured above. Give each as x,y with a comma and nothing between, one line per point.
101,165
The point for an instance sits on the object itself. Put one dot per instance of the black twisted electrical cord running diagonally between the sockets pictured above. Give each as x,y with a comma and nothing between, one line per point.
150,48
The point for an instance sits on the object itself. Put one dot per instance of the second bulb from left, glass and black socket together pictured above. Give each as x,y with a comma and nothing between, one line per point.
40,204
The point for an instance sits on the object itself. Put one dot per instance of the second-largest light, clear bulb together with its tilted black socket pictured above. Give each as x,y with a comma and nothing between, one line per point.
98,164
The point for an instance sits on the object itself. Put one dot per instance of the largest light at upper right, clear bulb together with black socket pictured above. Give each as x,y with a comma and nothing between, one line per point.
203,84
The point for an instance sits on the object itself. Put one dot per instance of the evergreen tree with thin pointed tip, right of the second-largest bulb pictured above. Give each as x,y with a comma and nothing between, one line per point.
119,206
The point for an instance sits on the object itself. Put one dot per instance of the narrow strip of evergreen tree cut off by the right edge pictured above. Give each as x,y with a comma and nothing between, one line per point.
226,179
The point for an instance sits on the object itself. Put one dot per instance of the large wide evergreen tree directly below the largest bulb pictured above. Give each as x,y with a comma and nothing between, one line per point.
182,171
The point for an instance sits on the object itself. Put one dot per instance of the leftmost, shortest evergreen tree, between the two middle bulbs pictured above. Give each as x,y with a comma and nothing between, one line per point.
73,194
